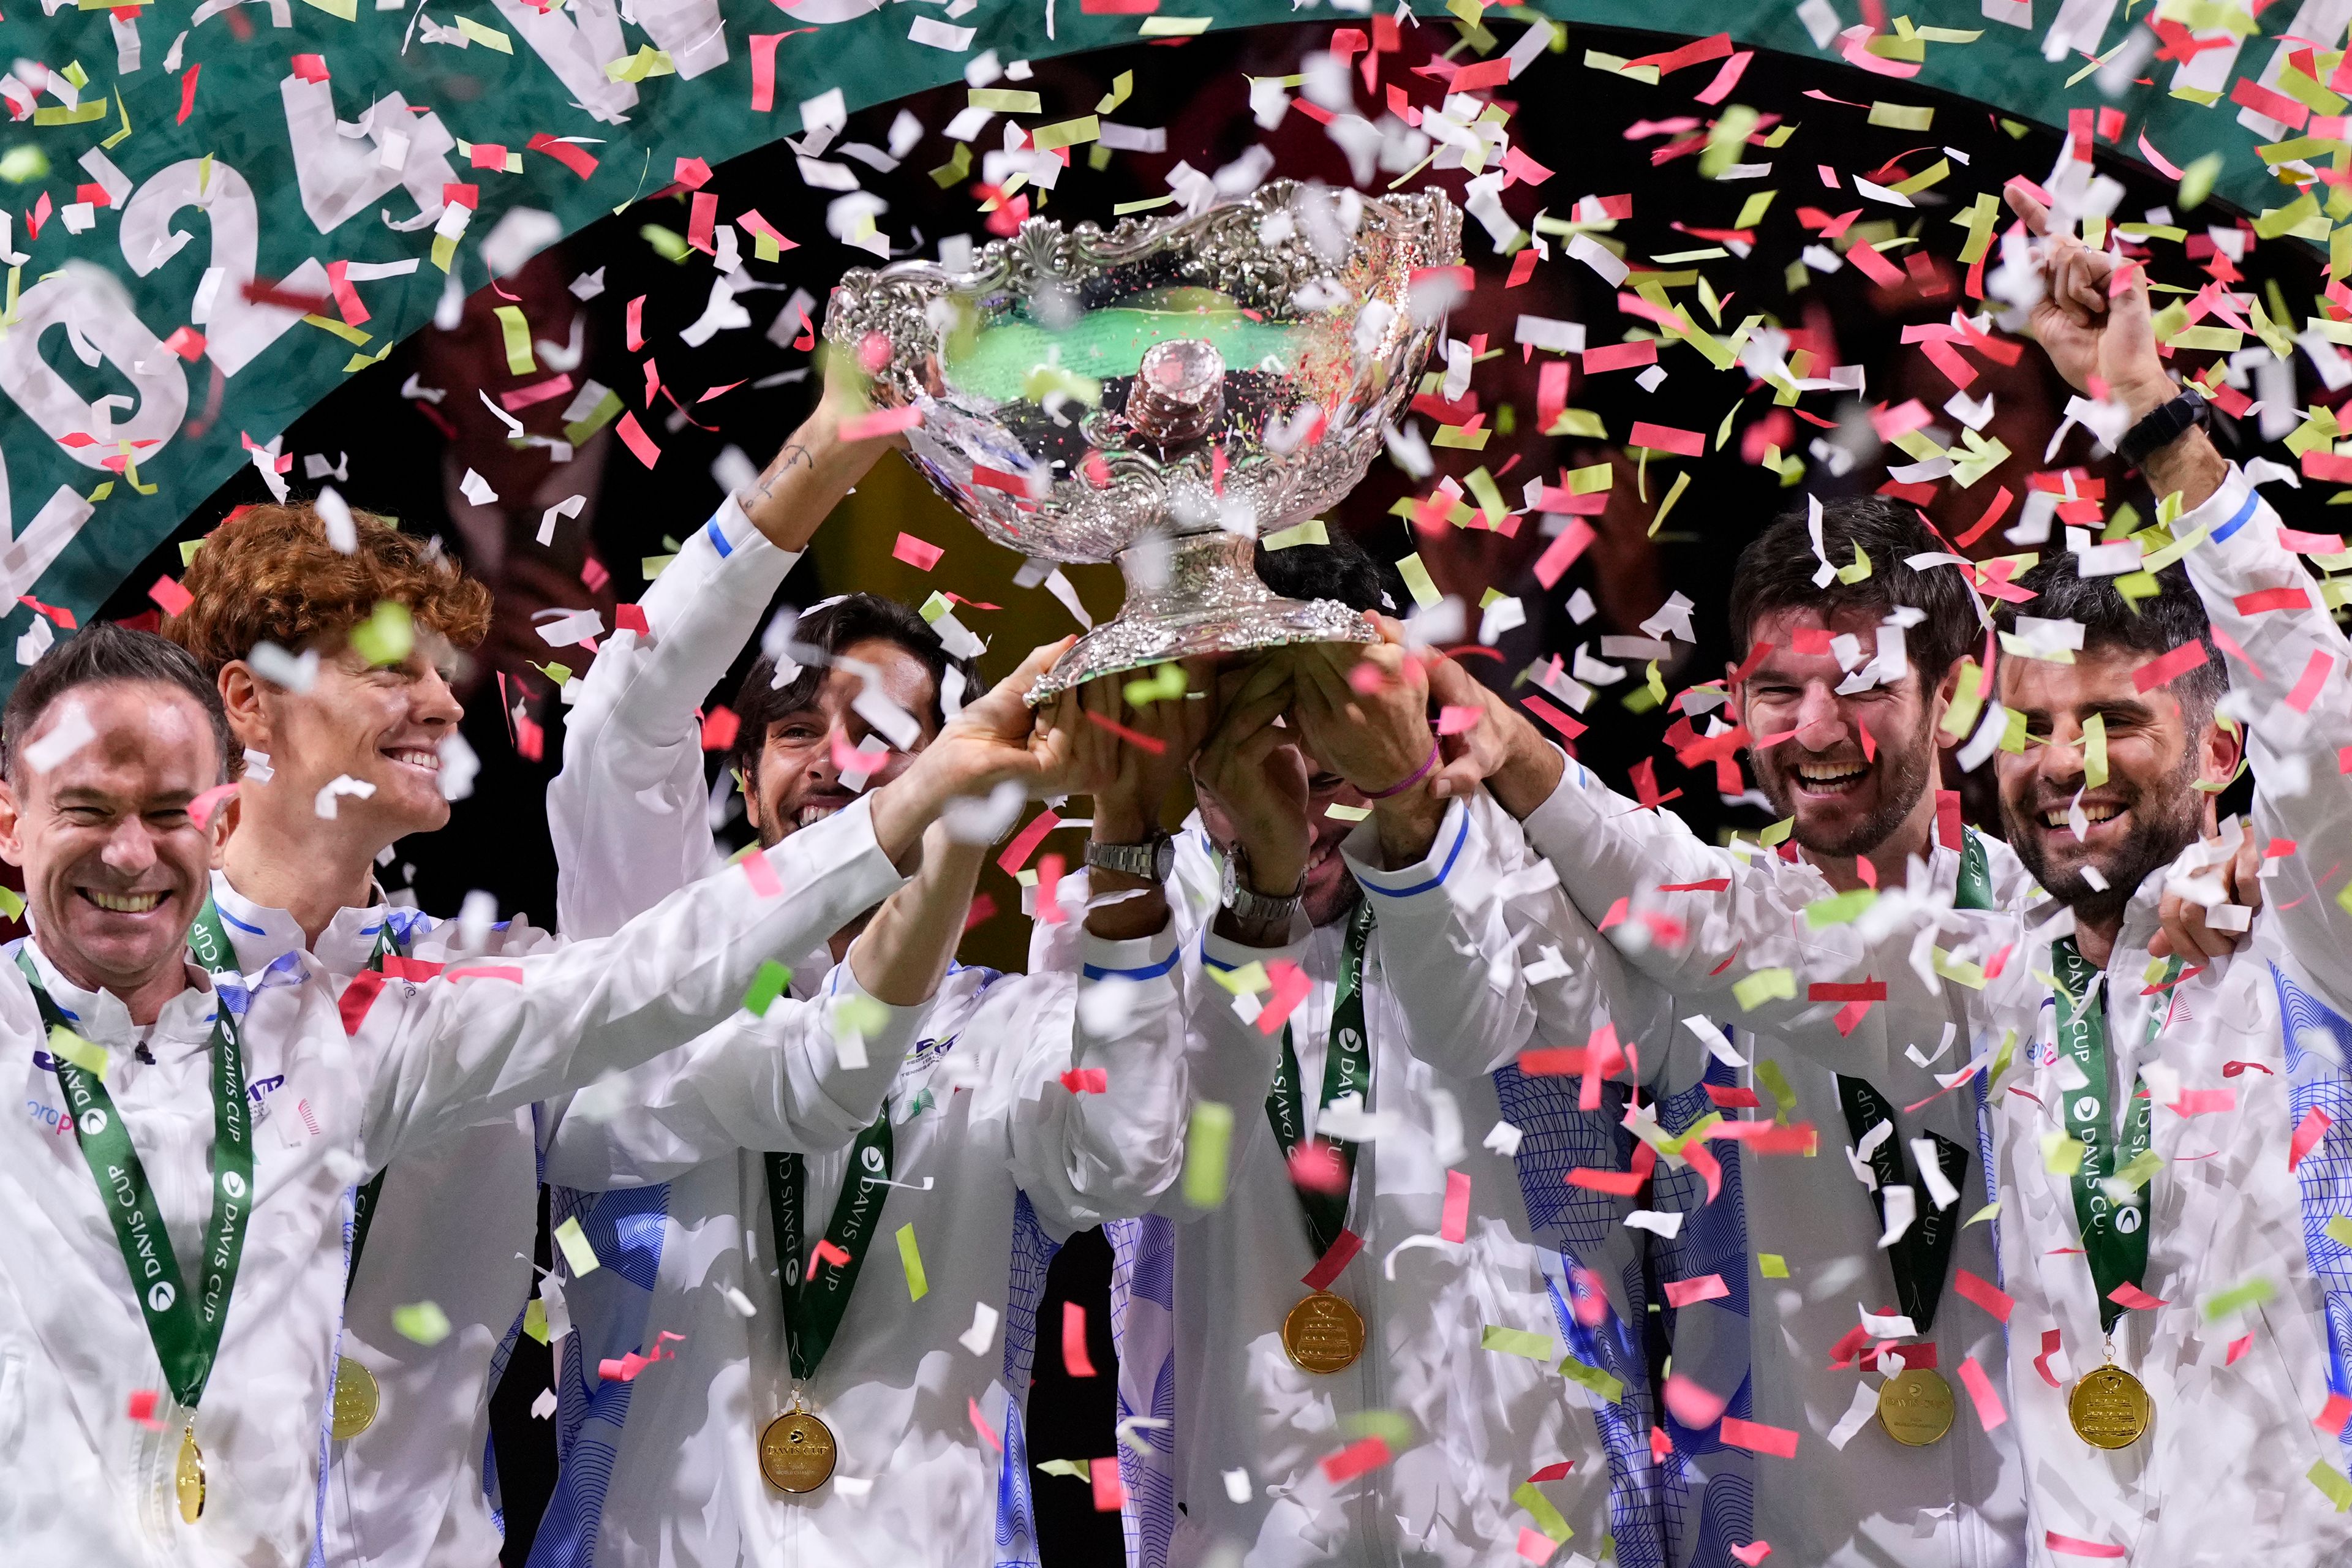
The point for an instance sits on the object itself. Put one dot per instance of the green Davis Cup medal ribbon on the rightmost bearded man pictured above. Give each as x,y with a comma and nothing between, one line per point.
2113,1233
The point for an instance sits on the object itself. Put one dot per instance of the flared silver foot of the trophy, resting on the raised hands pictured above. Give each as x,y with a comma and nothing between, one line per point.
1189,598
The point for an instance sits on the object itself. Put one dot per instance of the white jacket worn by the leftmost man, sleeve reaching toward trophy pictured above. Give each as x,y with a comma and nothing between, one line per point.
429,1059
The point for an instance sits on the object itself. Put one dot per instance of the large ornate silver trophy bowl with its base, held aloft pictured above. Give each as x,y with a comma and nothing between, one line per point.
1163,396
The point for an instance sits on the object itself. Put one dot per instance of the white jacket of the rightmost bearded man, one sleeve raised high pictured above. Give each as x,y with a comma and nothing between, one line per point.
2226,1473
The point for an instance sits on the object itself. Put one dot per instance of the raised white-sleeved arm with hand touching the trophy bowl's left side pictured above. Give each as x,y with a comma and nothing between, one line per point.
629,808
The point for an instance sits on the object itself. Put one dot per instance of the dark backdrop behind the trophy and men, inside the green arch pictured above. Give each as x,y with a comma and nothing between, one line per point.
403,455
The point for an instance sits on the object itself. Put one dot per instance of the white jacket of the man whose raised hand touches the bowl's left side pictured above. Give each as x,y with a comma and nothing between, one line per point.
664,1170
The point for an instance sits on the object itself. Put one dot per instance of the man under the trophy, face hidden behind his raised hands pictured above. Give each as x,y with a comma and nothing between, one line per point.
1384,1228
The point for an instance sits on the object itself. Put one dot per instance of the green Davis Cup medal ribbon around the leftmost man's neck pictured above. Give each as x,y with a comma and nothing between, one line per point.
185,1327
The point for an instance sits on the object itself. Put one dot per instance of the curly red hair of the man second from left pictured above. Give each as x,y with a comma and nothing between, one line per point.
269,575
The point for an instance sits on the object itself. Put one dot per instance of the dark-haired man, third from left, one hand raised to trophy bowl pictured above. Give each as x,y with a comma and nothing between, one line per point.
831,1405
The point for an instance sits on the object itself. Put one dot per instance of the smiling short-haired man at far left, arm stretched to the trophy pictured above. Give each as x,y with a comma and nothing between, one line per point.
185,1174
